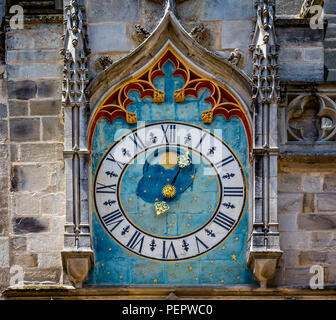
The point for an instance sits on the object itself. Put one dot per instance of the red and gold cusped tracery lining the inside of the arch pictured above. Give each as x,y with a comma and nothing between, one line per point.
222,102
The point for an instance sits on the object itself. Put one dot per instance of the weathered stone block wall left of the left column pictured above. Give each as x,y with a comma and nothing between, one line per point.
32,137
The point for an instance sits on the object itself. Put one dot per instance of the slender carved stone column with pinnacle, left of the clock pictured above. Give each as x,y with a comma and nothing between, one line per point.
77,255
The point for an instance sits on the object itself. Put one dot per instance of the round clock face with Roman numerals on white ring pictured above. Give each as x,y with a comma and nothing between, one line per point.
168,174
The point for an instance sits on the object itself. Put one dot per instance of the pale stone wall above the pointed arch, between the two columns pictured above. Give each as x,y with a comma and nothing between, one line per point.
228,25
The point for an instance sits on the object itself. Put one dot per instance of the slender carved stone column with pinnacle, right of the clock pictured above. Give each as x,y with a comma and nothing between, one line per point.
264,252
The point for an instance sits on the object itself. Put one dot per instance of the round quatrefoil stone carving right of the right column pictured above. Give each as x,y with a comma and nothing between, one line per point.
311,118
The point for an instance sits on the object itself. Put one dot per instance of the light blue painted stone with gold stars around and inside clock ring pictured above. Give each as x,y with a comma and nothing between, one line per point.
224,265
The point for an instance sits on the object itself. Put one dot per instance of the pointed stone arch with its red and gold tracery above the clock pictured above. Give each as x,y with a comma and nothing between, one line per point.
230,88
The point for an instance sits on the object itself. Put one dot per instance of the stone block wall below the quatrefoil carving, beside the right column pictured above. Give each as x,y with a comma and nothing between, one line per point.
307,217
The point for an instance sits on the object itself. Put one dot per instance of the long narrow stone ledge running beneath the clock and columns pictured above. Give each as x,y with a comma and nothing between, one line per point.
145,293
